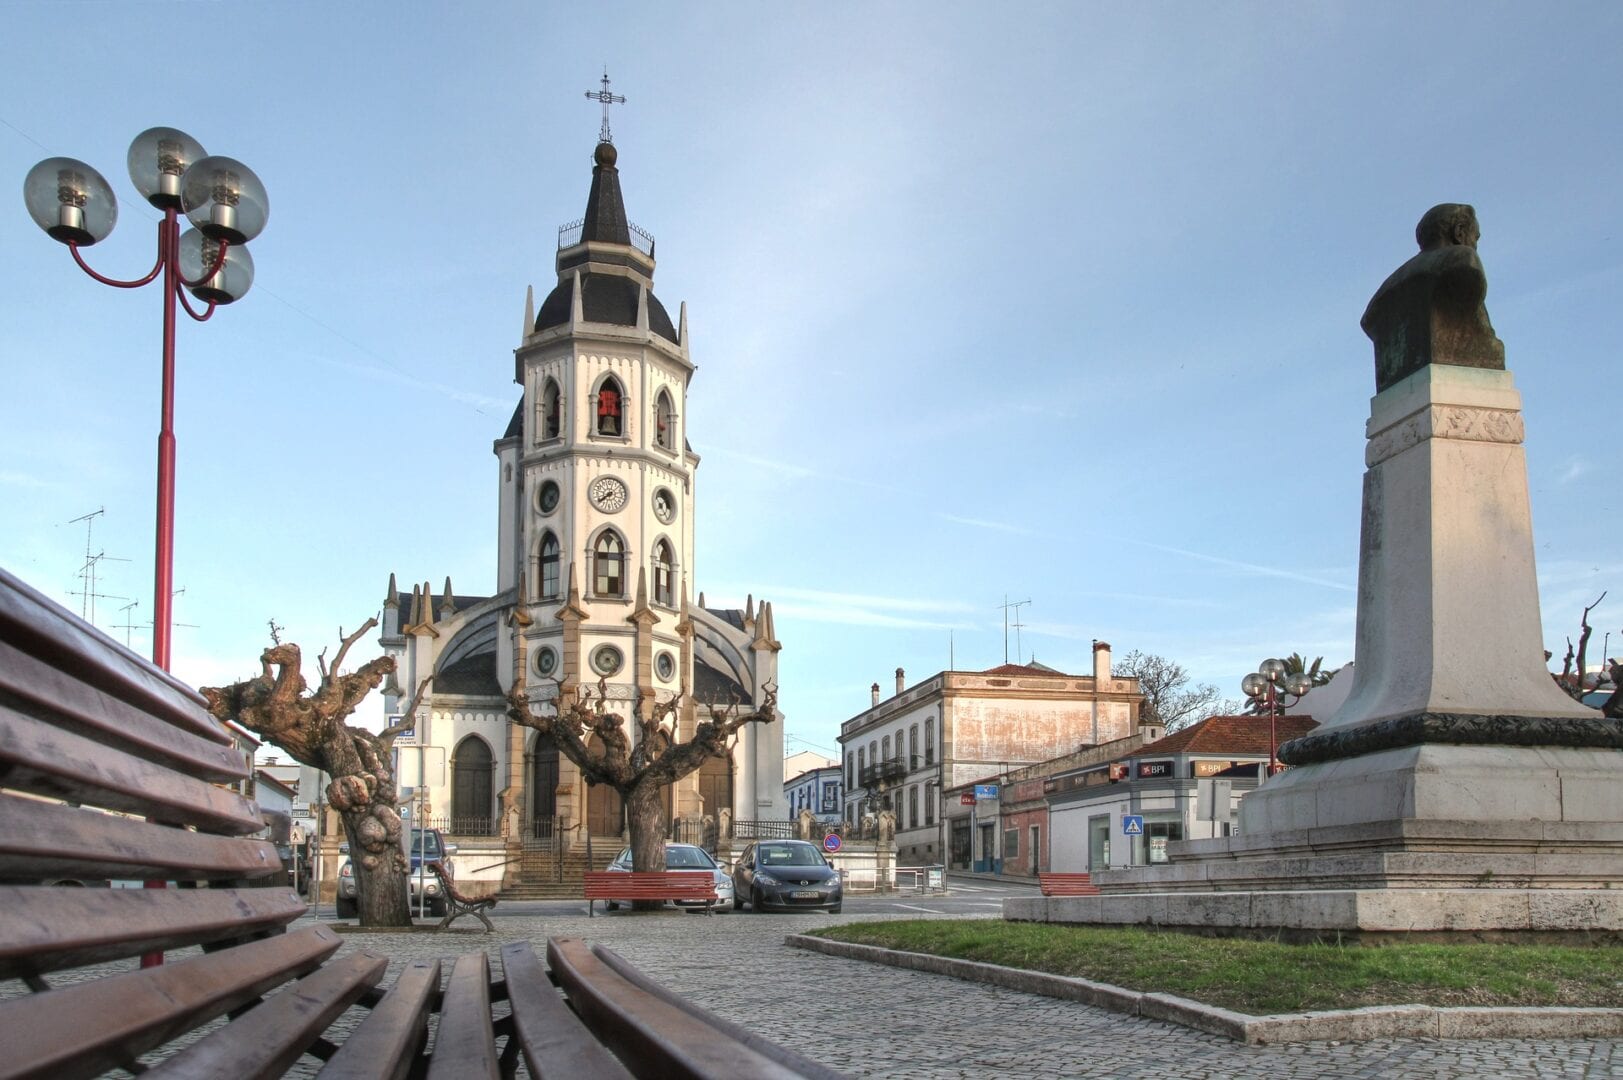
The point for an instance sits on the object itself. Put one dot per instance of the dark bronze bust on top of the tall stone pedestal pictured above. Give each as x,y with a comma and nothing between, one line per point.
1431,309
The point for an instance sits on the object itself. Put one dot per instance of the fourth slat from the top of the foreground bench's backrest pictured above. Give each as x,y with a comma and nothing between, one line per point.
48,840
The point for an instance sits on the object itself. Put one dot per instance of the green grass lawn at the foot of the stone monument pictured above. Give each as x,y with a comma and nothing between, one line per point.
1270,977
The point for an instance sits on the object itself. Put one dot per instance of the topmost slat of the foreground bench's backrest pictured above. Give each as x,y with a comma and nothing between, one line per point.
45,629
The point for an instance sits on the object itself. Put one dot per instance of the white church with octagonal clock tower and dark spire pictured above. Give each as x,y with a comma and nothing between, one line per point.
596,495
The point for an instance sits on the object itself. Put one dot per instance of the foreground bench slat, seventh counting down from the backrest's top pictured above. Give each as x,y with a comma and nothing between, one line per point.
264,1042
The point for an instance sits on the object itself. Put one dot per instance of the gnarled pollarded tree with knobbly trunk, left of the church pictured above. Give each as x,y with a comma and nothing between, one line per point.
312,728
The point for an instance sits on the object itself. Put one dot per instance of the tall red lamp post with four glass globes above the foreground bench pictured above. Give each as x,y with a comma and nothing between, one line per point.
226,204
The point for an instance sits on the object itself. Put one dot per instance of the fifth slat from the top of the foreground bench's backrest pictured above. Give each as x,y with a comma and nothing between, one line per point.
50,928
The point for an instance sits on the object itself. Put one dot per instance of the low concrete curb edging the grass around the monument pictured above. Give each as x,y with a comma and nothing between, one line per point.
1346,1026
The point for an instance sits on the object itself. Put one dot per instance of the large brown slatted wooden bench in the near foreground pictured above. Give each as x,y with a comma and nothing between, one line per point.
116,771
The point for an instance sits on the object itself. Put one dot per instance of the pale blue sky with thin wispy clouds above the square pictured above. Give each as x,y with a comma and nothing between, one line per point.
1057,305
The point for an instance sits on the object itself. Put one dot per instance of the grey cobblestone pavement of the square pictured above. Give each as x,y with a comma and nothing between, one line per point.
871,1021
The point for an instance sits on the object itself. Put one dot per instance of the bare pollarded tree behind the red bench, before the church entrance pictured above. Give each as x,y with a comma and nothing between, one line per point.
596,738
